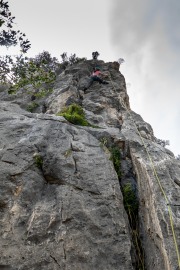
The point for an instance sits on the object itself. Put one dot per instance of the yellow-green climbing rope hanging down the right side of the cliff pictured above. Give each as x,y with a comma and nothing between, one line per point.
155,174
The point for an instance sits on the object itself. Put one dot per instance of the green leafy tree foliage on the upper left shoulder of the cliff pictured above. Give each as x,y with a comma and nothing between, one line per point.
20,71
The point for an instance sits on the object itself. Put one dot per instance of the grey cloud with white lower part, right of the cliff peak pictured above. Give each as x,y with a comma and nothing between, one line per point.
146,36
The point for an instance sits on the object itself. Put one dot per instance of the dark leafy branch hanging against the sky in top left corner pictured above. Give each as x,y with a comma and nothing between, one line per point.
8,35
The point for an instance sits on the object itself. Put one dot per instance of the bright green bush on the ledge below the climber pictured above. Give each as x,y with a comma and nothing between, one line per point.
75,115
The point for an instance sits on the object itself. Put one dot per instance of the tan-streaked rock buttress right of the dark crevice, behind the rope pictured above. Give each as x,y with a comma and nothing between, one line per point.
158,175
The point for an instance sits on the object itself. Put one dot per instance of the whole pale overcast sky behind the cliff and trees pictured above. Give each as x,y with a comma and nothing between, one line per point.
146,33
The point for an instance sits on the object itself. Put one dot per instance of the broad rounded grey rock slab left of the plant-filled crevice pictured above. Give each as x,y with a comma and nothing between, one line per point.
67,213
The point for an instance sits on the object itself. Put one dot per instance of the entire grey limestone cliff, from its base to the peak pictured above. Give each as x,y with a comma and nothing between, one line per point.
61,204
